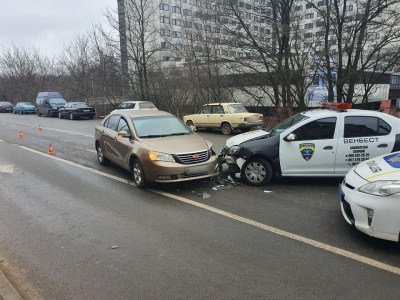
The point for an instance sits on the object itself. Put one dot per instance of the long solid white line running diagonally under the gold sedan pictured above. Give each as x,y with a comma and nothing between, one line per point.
299,238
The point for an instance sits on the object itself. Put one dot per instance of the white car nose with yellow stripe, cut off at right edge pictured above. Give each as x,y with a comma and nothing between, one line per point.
370,197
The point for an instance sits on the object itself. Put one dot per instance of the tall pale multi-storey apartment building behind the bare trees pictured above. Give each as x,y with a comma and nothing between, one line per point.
183,30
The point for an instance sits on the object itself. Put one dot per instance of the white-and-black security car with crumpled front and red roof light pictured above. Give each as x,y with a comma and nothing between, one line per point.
320,142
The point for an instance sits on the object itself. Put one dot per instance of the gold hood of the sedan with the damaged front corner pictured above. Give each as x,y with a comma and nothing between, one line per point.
177,144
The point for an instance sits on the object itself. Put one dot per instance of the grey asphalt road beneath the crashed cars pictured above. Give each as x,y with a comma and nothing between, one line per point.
83,231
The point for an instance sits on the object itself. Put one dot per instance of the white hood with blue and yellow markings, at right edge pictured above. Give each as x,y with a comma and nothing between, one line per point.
386,167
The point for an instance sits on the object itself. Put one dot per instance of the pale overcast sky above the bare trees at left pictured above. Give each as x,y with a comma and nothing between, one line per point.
48,25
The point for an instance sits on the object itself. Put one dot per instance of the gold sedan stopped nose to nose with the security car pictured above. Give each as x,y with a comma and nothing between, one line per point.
155,146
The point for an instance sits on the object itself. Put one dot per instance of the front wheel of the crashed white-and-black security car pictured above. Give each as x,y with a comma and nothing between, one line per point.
256,171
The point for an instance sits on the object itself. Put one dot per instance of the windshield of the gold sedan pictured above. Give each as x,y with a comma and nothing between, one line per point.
158,126
